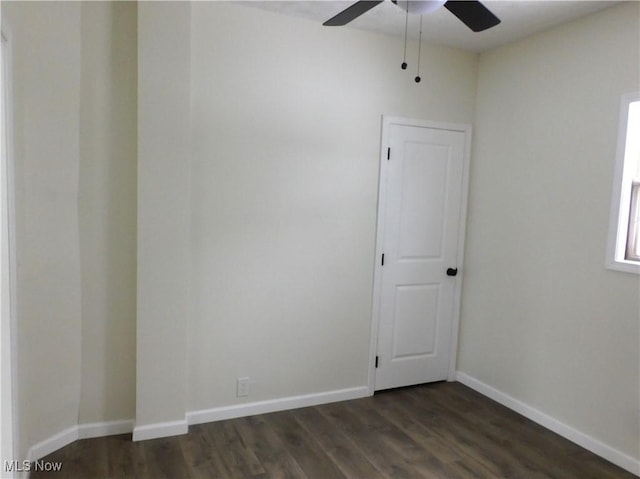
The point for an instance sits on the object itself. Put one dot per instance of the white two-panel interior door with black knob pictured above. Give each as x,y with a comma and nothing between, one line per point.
421,217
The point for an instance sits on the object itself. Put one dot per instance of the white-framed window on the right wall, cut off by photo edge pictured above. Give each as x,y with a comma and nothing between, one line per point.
623,251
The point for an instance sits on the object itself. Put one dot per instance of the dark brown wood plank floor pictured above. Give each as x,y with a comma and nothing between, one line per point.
441,430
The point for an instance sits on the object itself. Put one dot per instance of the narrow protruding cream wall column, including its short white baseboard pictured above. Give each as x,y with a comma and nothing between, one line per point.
163,217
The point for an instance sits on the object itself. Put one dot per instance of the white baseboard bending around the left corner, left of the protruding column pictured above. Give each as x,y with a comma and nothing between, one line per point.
81,431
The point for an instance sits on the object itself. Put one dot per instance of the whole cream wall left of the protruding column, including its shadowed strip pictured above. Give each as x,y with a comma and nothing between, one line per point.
75,151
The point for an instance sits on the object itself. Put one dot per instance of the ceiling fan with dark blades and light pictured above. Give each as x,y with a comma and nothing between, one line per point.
471,12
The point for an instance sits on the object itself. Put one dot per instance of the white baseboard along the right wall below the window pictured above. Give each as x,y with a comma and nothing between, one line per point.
597,447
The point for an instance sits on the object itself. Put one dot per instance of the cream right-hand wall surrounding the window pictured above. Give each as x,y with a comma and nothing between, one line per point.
542,320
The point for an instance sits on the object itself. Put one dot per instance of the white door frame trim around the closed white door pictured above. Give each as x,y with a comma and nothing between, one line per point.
387,122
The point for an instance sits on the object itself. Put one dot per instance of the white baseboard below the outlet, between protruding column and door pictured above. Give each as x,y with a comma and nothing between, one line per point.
273,405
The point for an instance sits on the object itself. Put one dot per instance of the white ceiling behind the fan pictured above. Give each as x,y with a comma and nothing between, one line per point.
520,18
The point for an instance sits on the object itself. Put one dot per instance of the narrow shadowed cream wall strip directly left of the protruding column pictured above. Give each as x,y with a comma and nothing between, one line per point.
107,212
